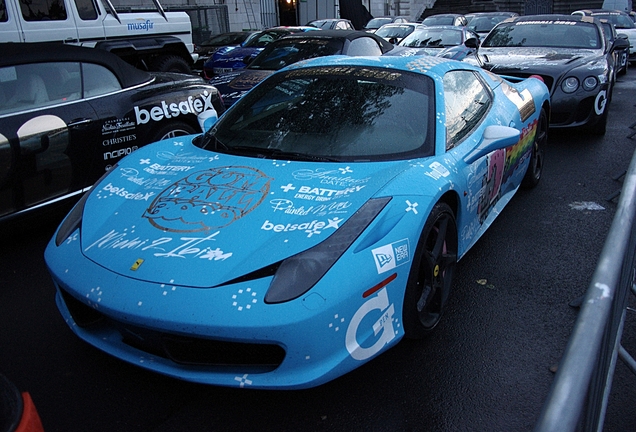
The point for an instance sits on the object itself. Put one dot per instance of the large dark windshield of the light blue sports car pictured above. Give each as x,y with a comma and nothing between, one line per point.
341,113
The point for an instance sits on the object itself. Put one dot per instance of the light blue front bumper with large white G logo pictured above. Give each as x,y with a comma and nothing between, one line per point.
226,336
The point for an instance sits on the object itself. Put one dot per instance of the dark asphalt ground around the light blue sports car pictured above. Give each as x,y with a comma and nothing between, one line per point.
486,368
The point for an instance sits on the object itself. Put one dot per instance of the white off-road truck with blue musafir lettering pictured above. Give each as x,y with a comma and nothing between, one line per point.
152,40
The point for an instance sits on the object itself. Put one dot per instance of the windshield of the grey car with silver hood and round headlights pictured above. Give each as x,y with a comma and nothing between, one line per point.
555,34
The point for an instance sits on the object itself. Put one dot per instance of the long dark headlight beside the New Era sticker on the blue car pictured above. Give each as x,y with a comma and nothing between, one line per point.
299,273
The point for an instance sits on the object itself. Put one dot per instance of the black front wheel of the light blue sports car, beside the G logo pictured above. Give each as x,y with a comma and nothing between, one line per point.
431,273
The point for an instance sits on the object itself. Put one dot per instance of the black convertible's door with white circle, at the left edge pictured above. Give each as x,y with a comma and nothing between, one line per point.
46,129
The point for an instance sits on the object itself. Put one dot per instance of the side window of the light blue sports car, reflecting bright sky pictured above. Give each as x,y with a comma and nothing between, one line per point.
467,101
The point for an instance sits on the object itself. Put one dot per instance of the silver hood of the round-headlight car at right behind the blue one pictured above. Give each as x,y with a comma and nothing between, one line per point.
549,61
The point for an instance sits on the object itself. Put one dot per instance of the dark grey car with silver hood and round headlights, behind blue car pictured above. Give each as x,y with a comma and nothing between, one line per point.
569,52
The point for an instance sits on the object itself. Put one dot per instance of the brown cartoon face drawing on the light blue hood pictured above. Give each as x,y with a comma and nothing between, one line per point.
222,195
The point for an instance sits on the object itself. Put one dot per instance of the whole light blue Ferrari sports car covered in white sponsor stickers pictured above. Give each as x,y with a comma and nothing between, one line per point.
314,225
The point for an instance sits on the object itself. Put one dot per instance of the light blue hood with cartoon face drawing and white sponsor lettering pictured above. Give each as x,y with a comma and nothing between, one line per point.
172,213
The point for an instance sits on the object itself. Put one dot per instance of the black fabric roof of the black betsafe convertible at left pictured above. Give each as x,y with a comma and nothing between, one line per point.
40,52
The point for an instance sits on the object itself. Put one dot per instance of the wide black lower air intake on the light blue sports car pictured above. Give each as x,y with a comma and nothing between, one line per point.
180,349
